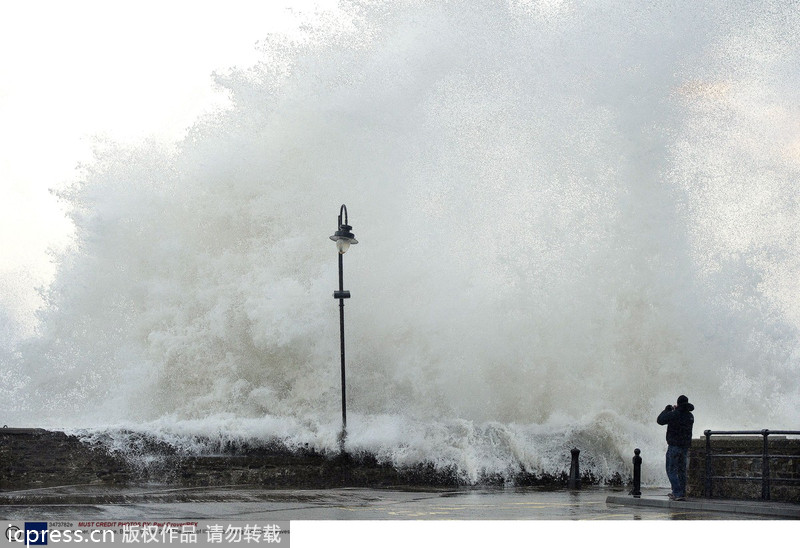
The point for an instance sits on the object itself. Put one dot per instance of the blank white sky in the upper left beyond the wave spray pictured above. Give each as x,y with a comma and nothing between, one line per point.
122,69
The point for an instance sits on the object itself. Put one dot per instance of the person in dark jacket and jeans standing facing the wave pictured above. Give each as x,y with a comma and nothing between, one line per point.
679,421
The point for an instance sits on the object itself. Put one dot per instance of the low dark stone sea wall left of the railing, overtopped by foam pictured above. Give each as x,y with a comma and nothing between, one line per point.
31,458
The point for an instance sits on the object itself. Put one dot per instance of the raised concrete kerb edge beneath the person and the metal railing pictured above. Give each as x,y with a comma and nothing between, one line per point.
765,508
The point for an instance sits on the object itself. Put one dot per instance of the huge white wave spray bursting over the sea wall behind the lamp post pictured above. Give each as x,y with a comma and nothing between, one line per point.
568,213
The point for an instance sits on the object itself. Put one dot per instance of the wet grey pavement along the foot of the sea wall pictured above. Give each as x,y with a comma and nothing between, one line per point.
242,503
